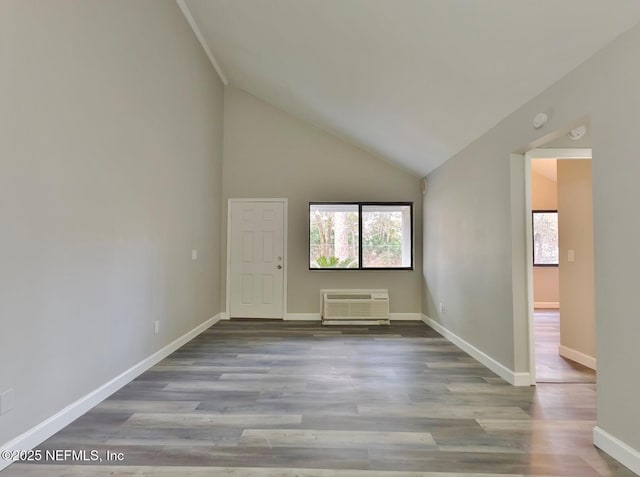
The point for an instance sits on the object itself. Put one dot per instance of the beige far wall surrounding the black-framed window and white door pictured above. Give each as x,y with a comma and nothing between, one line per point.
269,153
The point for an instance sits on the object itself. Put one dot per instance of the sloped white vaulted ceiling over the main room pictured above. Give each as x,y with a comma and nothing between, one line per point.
412,81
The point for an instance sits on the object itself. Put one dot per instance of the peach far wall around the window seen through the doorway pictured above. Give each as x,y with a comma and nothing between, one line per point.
544,196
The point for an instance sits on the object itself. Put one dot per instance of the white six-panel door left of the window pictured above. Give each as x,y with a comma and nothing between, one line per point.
256,258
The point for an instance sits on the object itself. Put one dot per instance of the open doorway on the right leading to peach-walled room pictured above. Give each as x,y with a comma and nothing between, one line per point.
560,268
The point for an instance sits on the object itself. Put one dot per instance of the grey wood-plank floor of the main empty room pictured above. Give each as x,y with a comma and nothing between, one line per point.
266,398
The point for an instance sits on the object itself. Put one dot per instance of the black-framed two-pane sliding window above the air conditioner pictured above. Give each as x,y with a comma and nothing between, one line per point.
361,235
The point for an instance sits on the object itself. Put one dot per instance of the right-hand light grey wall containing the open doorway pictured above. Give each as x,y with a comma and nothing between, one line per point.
468,222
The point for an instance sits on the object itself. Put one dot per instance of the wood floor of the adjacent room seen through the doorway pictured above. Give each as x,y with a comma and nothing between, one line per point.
550,366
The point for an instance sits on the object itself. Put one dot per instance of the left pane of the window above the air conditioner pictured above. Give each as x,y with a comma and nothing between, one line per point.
333,236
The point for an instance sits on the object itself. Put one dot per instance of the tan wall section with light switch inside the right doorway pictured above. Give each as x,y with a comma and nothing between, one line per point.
575,207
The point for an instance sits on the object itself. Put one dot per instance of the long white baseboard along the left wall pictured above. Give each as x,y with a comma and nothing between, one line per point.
41,432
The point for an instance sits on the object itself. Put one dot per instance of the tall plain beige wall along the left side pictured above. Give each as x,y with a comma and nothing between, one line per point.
111,156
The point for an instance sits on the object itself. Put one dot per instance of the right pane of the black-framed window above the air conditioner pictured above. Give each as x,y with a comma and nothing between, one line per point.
386,236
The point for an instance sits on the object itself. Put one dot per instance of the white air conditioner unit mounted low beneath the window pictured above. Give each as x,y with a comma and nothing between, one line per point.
354,306
